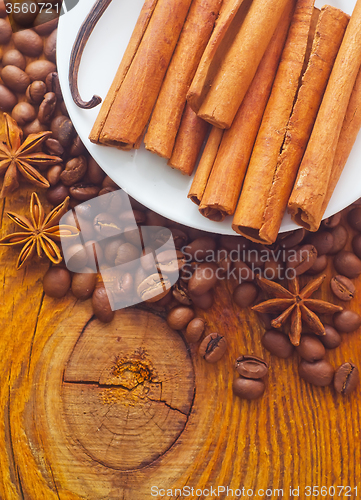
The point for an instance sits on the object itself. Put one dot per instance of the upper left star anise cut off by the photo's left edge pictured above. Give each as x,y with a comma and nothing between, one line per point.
21,158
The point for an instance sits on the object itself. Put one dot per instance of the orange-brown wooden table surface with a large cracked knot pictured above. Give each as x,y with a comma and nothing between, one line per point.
94,411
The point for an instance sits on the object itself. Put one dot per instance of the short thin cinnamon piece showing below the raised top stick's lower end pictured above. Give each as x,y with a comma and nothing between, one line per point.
205,165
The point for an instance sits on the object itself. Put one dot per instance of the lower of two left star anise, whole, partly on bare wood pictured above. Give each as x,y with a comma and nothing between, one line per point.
40,233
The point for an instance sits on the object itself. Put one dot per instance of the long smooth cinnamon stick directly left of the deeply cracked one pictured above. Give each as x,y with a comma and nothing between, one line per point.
224,184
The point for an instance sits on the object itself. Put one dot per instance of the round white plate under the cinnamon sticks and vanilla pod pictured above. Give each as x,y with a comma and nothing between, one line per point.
141,174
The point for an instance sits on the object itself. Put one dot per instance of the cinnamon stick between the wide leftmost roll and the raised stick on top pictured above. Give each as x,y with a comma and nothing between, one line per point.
167,114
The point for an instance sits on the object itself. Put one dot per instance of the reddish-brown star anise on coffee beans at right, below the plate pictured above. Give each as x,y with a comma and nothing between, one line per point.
295,304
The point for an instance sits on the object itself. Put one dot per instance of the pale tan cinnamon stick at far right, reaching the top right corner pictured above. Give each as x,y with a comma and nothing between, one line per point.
310,189
